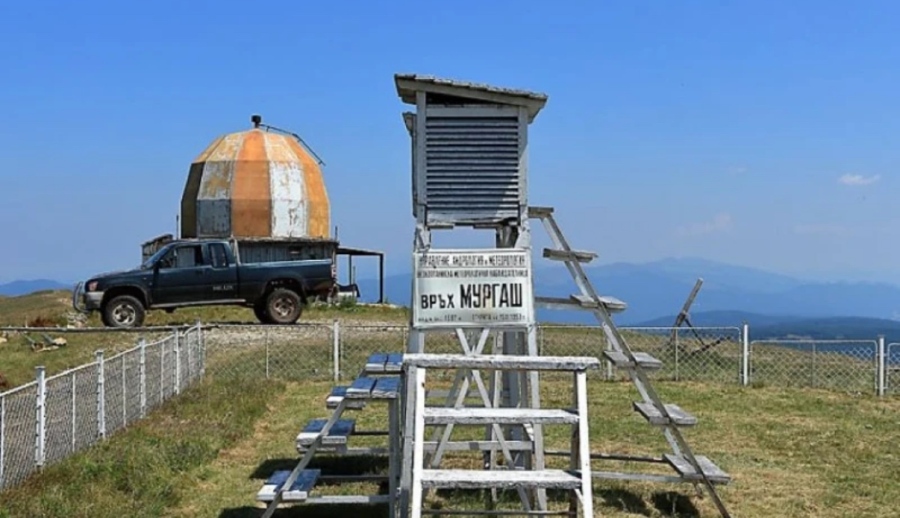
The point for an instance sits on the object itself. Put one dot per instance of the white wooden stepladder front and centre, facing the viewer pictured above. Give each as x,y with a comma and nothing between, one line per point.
577,479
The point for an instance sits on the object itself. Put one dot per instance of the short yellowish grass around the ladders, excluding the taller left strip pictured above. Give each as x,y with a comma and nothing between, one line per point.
790,452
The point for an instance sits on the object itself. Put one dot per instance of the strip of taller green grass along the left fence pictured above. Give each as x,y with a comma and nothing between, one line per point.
153,464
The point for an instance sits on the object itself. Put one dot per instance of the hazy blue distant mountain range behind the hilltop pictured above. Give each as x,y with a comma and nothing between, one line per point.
774,304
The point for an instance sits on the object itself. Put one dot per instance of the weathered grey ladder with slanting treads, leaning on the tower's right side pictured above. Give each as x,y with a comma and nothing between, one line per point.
669,416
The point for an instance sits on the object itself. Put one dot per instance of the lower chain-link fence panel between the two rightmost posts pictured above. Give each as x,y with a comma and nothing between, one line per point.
846,365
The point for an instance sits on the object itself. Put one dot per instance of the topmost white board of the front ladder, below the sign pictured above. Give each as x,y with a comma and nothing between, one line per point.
501,362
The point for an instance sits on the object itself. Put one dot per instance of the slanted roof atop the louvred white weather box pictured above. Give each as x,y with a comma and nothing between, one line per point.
409,84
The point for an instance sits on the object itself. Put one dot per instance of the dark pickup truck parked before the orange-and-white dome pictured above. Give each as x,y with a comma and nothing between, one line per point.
205,272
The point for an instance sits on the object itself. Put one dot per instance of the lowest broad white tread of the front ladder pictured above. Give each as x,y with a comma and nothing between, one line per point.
499,479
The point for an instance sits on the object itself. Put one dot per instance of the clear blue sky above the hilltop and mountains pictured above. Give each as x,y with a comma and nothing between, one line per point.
758,133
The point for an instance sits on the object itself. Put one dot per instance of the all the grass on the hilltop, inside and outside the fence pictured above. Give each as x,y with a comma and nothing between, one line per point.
792,450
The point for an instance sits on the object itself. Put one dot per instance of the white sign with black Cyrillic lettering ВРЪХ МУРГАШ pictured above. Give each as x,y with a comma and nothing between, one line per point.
472,288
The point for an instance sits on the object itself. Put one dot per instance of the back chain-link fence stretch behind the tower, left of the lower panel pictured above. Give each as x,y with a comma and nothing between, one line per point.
338,352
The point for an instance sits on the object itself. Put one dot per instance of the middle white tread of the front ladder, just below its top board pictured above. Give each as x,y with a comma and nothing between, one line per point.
482,416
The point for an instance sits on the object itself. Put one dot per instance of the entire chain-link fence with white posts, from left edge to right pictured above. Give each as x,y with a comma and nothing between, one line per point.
50,418
